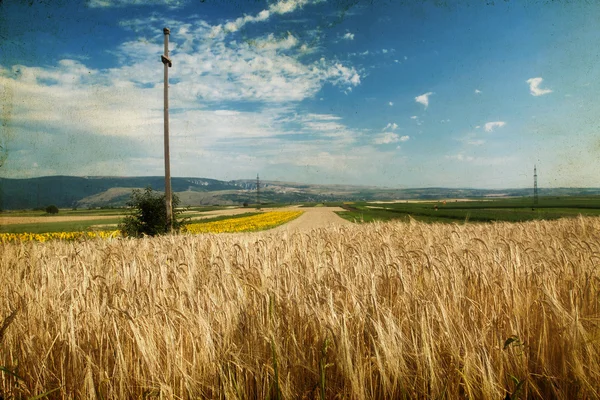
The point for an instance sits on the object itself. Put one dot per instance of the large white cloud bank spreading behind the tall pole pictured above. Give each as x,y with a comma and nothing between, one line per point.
112,118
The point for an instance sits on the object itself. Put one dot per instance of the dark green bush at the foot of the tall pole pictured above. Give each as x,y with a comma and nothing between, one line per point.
149,214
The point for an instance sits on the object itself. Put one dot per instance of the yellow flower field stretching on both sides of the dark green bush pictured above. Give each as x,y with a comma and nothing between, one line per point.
244,224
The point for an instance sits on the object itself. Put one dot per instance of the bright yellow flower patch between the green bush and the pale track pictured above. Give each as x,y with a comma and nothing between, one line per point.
244,224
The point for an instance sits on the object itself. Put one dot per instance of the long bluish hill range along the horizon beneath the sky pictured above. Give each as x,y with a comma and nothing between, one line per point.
85,192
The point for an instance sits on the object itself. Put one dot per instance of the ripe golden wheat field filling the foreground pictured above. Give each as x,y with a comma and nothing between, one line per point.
384,310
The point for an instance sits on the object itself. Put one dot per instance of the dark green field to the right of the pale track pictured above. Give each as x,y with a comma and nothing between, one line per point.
510,210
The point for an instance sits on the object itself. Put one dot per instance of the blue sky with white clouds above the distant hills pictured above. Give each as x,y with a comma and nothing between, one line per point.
389,93
